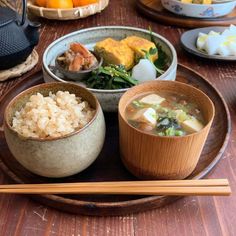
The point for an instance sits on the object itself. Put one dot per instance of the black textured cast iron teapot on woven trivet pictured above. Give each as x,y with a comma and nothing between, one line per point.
18,36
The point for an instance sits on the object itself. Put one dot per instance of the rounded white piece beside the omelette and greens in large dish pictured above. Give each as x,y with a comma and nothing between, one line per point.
144,71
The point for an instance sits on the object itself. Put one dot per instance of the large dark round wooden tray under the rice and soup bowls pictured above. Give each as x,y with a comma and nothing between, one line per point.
108,166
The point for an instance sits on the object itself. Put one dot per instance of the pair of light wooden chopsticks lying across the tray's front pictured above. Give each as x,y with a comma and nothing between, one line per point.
202,187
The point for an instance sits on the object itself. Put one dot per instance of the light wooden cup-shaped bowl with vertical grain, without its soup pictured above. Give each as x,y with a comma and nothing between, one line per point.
150,156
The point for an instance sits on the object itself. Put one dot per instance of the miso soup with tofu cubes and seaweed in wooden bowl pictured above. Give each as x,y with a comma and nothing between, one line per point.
165,114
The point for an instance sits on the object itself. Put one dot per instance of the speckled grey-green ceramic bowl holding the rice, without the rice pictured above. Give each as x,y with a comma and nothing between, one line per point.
56,157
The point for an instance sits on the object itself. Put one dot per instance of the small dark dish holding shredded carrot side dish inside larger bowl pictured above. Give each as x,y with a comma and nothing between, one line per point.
77,75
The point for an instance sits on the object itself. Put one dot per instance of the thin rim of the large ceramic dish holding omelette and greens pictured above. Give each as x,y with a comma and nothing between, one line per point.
163,39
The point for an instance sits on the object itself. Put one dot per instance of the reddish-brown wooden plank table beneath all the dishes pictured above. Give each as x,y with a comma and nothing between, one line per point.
211,216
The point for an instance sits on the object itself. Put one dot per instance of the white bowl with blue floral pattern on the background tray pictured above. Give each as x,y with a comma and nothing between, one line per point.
199,10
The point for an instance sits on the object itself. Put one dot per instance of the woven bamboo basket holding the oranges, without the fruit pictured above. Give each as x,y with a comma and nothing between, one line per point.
67,14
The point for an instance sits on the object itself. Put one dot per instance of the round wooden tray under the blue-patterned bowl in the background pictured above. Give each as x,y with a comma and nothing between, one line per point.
154,9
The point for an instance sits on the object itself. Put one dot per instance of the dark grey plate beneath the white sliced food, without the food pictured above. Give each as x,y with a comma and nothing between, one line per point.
189,39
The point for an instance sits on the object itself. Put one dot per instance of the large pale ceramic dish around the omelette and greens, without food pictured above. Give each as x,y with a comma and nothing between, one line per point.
108,98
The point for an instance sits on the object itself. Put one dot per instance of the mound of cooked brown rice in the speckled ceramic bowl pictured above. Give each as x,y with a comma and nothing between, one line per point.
52,116
